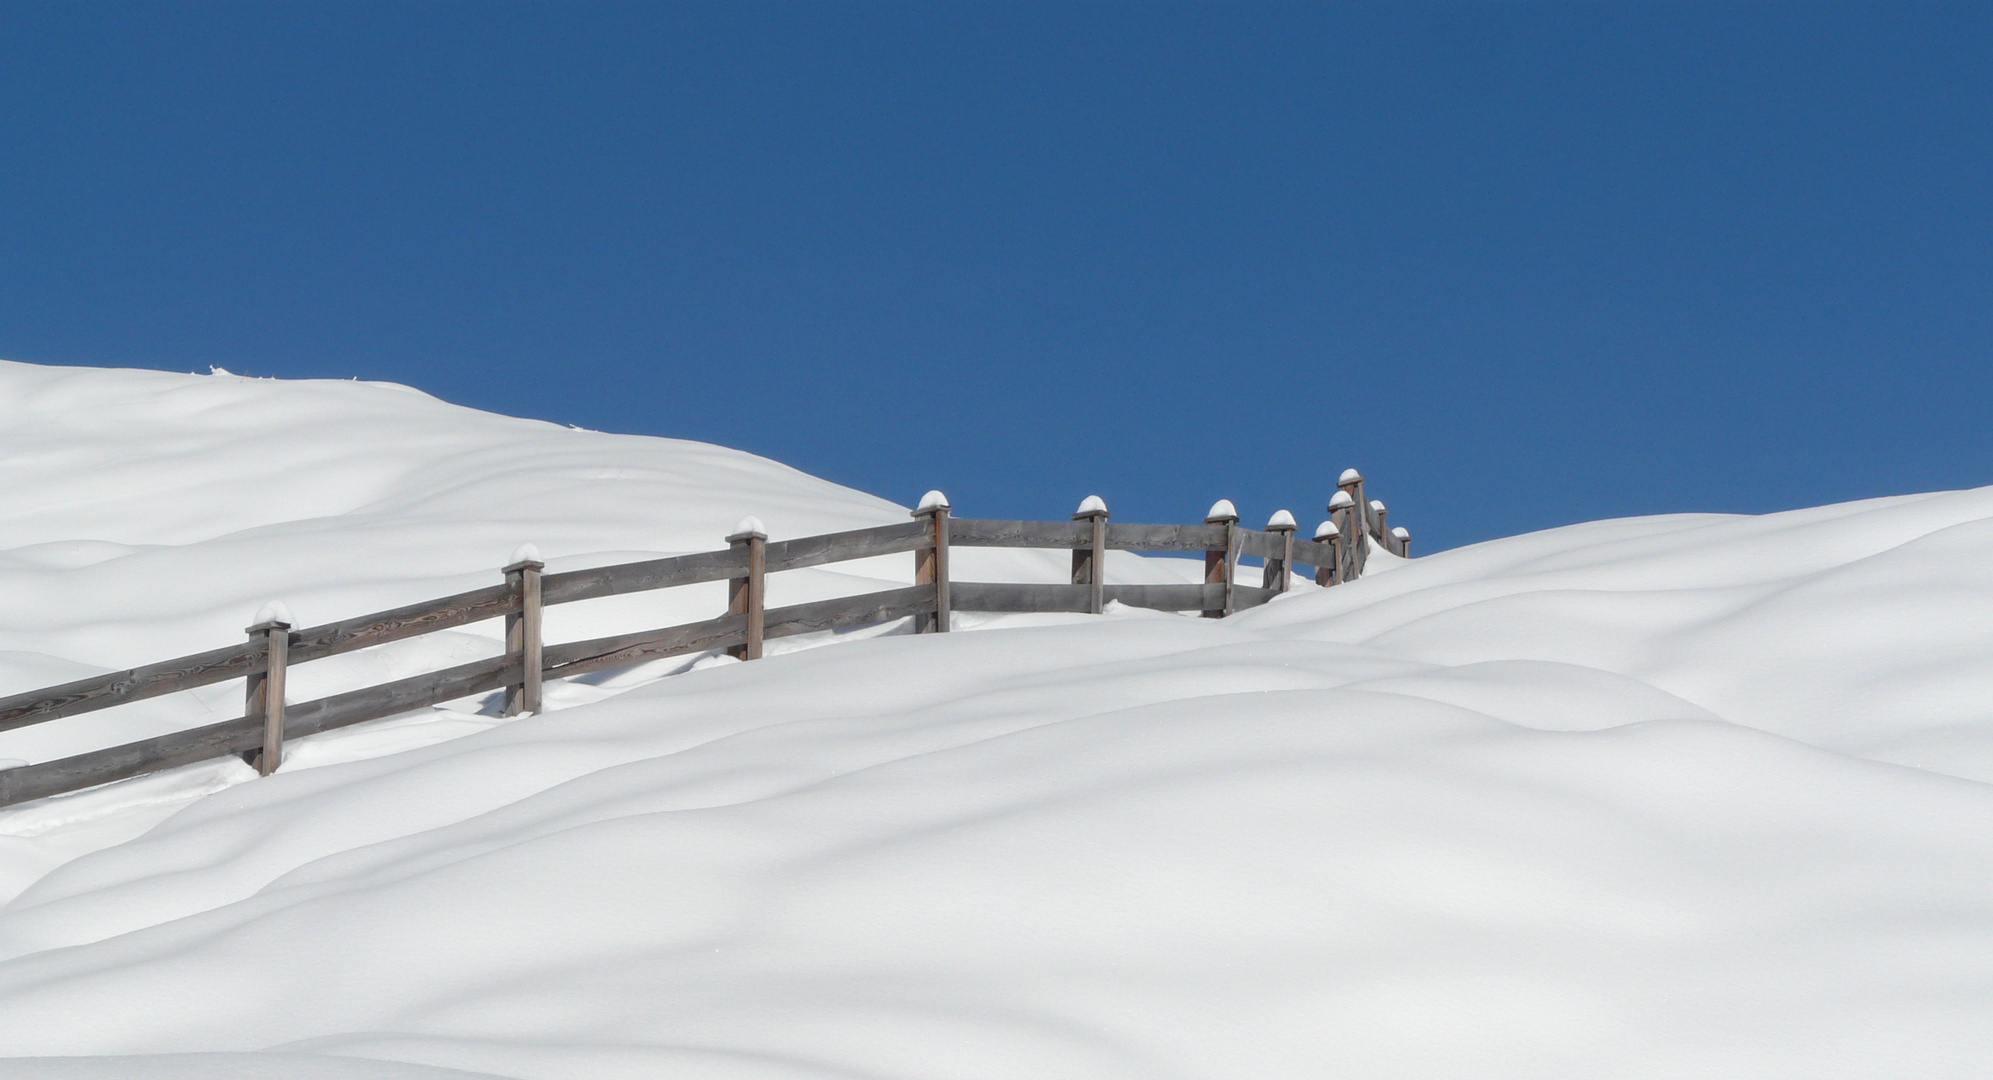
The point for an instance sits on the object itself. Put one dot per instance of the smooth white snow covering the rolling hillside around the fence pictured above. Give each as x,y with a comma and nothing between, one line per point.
1687,796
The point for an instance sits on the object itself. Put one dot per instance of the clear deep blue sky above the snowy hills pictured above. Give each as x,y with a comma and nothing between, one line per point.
1522,264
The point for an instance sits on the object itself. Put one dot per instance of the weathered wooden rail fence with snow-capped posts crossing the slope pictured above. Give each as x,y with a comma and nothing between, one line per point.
1338,555
